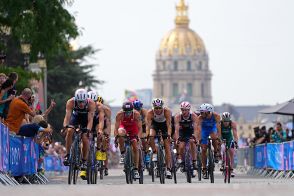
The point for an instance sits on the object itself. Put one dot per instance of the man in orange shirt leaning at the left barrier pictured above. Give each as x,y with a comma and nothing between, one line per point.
17,110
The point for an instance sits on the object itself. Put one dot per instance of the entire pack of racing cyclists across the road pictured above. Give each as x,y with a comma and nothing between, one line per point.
141,125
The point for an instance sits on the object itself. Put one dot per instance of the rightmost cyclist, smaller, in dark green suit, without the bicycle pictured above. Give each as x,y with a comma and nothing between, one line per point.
228,130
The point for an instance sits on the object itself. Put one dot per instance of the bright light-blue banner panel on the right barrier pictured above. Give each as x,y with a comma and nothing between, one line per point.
275,156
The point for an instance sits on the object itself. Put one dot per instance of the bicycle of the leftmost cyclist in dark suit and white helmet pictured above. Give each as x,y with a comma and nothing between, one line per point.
75,156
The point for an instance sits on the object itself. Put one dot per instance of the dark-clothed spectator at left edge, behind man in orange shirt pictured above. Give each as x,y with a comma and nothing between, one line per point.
5,87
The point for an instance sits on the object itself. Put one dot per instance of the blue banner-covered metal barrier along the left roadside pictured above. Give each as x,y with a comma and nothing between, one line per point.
19,157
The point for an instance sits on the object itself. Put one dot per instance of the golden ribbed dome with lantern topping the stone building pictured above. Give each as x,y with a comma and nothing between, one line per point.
181,40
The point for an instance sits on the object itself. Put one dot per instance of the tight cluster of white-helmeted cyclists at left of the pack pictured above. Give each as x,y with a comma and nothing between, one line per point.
86,110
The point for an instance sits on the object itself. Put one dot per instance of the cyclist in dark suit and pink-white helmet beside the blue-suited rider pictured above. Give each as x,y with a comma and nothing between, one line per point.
186,131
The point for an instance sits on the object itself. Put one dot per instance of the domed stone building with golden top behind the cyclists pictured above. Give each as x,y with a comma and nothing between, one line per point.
182,72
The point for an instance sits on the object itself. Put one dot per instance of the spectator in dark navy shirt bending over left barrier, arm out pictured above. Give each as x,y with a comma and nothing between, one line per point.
31,130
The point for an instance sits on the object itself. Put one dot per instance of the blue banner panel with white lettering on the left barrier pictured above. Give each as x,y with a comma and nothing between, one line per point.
16,155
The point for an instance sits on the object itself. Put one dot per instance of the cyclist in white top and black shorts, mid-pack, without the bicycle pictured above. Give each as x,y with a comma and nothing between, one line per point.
159,119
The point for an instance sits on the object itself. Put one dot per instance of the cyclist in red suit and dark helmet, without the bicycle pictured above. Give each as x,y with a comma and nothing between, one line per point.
128,122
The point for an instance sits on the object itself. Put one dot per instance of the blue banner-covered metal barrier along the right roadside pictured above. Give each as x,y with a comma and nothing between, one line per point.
274,160
